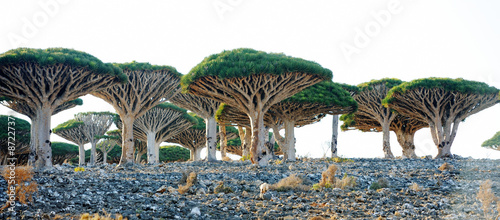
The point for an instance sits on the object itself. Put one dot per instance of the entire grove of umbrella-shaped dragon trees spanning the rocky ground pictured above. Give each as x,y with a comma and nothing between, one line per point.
252,90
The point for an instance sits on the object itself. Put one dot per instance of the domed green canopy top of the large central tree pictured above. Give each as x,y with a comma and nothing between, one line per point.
246,62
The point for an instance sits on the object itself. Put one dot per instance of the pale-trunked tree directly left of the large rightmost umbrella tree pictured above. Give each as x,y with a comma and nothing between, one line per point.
369,98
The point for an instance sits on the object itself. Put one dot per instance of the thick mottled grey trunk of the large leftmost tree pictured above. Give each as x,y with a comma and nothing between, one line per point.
43,147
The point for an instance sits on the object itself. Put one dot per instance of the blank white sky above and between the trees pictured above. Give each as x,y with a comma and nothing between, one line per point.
420,39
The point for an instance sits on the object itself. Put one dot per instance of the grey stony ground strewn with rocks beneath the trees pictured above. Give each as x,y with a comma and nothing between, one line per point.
416,189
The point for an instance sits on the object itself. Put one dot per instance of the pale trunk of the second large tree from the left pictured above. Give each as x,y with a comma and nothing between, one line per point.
127,140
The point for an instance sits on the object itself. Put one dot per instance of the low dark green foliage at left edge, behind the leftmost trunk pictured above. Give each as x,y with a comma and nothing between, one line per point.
20,127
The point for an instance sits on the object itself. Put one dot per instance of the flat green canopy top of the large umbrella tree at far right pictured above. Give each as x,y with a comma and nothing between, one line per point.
452,85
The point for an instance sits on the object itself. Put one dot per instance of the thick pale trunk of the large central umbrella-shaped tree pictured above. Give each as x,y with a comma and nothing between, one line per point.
258,139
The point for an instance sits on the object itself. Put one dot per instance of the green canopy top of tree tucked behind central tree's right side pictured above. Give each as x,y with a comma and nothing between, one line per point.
325,93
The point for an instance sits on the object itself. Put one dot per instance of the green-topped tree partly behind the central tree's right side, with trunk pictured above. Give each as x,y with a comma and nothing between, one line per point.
307,107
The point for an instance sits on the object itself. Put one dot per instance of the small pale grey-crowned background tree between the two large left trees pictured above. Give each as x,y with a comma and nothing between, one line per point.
96,124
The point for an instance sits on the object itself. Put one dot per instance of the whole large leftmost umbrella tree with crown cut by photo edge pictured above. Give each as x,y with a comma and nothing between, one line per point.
46,79
